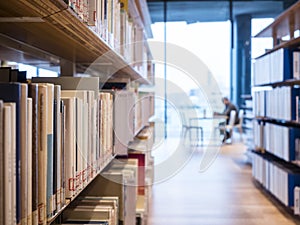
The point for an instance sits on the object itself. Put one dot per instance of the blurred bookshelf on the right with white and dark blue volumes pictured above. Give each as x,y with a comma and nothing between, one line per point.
276,111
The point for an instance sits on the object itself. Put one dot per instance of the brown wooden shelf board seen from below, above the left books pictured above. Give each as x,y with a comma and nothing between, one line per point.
59,32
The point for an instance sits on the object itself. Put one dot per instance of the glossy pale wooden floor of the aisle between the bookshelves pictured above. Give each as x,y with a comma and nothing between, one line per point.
222,195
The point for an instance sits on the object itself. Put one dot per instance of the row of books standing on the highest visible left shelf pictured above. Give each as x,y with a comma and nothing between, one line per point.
111,20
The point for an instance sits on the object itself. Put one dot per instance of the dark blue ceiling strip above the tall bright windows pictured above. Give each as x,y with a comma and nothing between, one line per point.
209,11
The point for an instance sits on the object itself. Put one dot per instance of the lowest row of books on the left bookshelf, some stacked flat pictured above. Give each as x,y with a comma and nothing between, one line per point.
121,193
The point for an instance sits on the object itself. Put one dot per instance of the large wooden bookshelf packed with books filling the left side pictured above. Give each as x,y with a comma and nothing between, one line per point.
59,33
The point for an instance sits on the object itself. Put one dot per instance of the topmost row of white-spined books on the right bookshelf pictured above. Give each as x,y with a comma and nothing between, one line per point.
274,67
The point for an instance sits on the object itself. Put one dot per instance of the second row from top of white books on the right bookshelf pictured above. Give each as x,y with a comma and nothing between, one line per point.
280,103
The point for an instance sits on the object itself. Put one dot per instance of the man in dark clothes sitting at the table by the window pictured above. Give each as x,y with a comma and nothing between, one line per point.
228,108
